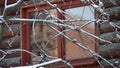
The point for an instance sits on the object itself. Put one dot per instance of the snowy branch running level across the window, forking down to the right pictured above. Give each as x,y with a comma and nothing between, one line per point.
62,25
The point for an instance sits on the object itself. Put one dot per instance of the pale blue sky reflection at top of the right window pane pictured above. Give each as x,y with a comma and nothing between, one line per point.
84,13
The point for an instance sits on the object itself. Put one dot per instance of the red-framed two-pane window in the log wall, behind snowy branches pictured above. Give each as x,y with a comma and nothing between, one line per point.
59,47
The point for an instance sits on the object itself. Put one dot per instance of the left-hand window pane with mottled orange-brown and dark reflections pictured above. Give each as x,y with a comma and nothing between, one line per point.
41,34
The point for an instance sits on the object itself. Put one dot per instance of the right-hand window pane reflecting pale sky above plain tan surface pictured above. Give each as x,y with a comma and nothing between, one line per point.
84,14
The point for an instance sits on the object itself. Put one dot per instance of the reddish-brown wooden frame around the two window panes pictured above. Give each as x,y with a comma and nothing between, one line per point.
25,32
